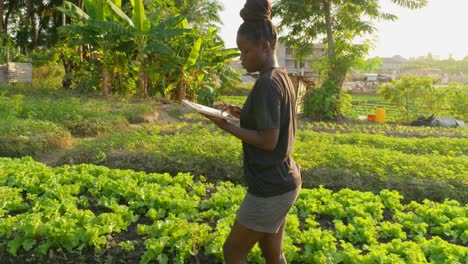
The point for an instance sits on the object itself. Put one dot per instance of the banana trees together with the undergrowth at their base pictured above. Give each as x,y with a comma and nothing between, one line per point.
157,51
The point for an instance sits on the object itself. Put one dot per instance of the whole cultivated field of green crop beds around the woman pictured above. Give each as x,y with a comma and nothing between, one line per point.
137,180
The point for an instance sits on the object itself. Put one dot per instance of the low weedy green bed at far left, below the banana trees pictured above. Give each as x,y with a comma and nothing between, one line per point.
81,117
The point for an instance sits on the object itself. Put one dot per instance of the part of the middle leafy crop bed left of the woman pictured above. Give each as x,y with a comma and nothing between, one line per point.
166,149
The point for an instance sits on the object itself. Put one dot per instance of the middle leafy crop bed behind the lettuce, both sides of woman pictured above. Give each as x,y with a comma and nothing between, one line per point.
418,167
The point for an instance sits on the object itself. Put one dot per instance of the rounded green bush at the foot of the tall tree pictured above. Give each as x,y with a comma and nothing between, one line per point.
326,102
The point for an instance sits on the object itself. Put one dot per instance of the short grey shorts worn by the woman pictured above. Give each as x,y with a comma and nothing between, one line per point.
266,214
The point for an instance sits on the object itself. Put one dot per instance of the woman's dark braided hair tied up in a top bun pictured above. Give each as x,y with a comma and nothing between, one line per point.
257,25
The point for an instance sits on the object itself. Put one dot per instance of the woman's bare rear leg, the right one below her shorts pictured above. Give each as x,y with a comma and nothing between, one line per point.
272,247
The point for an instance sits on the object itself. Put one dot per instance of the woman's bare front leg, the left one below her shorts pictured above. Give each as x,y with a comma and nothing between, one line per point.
239,243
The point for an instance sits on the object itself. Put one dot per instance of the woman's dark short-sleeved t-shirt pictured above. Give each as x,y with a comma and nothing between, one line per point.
271,104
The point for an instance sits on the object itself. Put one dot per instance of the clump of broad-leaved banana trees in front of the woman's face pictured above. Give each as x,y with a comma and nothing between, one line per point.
162,49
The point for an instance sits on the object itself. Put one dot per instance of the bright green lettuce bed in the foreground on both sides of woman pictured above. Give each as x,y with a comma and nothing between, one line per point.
52,214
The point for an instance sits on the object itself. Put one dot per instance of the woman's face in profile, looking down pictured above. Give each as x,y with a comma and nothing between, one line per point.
253,55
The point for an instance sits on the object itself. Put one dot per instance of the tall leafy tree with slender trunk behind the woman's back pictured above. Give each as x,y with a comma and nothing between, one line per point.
337,24
